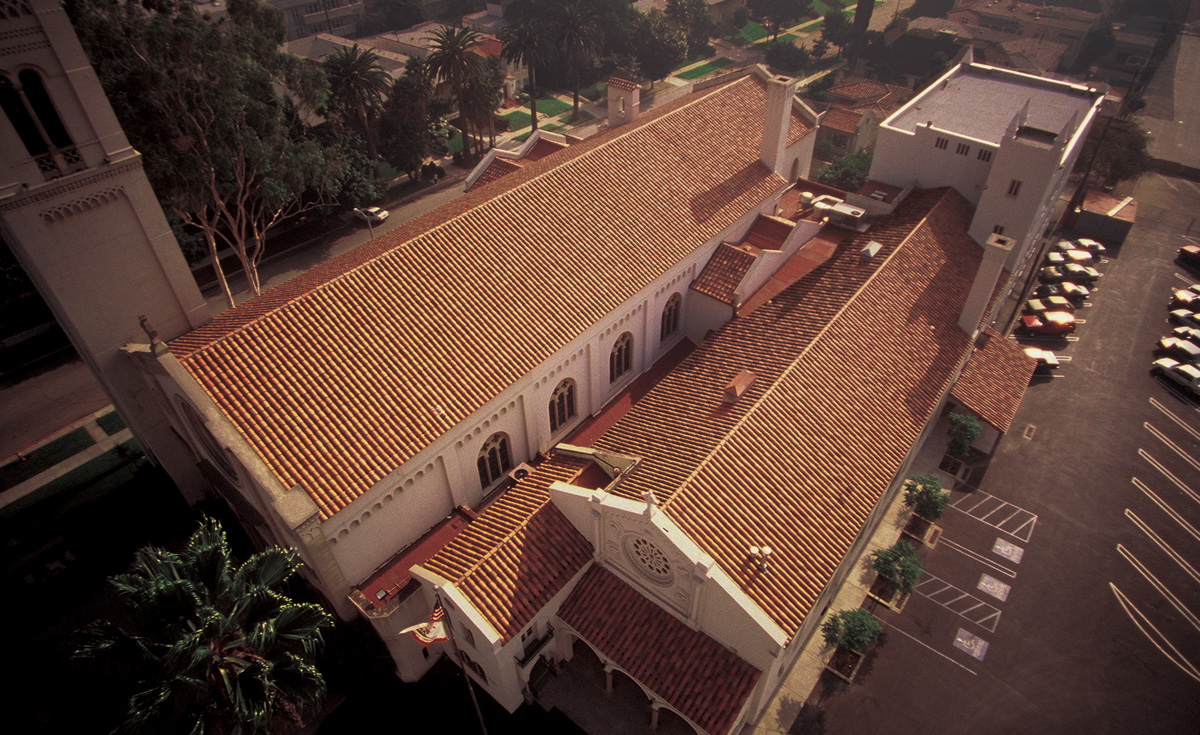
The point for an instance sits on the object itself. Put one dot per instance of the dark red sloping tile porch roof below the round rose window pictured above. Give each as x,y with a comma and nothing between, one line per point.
697,676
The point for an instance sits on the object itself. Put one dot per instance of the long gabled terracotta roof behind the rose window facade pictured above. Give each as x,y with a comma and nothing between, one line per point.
853,361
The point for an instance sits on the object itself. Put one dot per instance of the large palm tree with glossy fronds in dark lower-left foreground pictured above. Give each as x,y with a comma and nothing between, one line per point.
208,647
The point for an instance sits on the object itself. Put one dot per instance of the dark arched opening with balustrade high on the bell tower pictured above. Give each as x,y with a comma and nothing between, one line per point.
32,113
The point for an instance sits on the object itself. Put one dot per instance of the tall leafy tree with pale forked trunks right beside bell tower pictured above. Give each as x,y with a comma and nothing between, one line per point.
218,110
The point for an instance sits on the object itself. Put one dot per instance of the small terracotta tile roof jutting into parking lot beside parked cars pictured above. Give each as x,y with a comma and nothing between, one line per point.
995,380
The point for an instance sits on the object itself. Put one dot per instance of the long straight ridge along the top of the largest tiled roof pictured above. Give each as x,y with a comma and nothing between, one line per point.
638,127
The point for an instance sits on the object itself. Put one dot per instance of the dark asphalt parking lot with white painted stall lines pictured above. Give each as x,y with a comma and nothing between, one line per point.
1065,594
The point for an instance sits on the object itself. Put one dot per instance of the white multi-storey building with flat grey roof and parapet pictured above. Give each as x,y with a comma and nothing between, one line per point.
1005,140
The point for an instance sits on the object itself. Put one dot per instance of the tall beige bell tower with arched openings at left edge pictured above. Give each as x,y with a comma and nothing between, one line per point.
79,213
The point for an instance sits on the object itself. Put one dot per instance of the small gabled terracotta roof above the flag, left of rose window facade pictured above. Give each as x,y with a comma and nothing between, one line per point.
520,552
